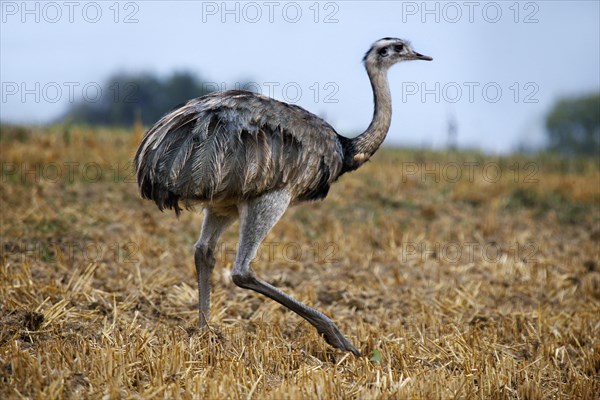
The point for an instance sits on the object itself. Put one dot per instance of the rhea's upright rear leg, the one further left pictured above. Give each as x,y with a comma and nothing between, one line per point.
212,228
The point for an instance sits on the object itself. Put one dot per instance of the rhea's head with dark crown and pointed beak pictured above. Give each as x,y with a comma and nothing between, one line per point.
388,51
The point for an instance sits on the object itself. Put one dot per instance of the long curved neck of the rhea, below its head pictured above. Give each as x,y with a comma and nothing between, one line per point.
362,147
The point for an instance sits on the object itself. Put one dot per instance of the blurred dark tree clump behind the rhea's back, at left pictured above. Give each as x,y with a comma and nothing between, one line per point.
124,97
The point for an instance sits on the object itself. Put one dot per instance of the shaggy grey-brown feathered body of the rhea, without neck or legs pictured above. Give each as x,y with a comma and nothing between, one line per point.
230,146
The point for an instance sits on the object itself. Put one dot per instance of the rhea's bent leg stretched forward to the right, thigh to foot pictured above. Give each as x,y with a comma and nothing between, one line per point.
257,217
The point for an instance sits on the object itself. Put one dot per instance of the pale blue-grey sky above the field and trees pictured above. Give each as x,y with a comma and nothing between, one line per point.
498,66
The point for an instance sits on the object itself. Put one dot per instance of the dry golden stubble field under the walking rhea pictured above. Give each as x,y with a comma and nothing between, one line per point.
460,288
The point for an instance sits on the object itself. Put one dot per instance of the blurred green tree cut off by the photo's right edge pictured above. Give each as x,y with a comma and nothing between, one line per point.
573,126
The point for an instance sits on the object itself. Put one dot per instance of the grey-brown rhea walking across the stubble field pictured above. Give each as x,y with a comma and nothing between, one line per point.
243,155
